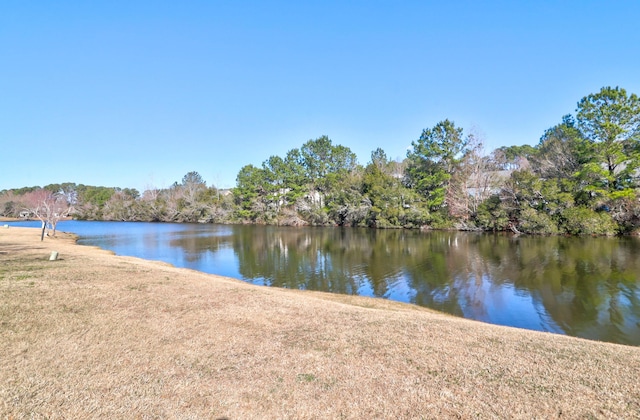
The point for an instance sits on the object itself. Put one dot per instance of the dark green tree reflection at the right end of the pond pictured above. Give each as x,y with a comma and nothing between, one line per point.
588,286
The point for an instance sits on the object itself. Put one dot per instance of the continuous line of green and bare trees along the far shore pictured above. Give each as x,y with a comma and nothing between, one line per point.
581,178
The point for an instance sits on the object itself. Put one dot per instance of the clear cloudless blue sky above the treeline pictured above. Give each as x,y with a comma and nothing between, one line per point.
138,93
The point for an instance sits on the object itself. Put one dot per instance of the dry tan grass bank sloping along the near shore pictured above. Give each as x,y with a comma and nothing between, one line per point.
94,335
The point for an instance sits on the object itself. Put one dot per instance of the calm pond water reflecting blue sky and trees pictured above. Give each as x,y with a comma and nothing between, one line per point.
585,287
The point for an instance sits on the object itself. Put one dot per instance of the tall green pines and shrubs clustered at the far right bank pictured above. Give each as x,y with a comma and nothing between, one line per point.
583,175
